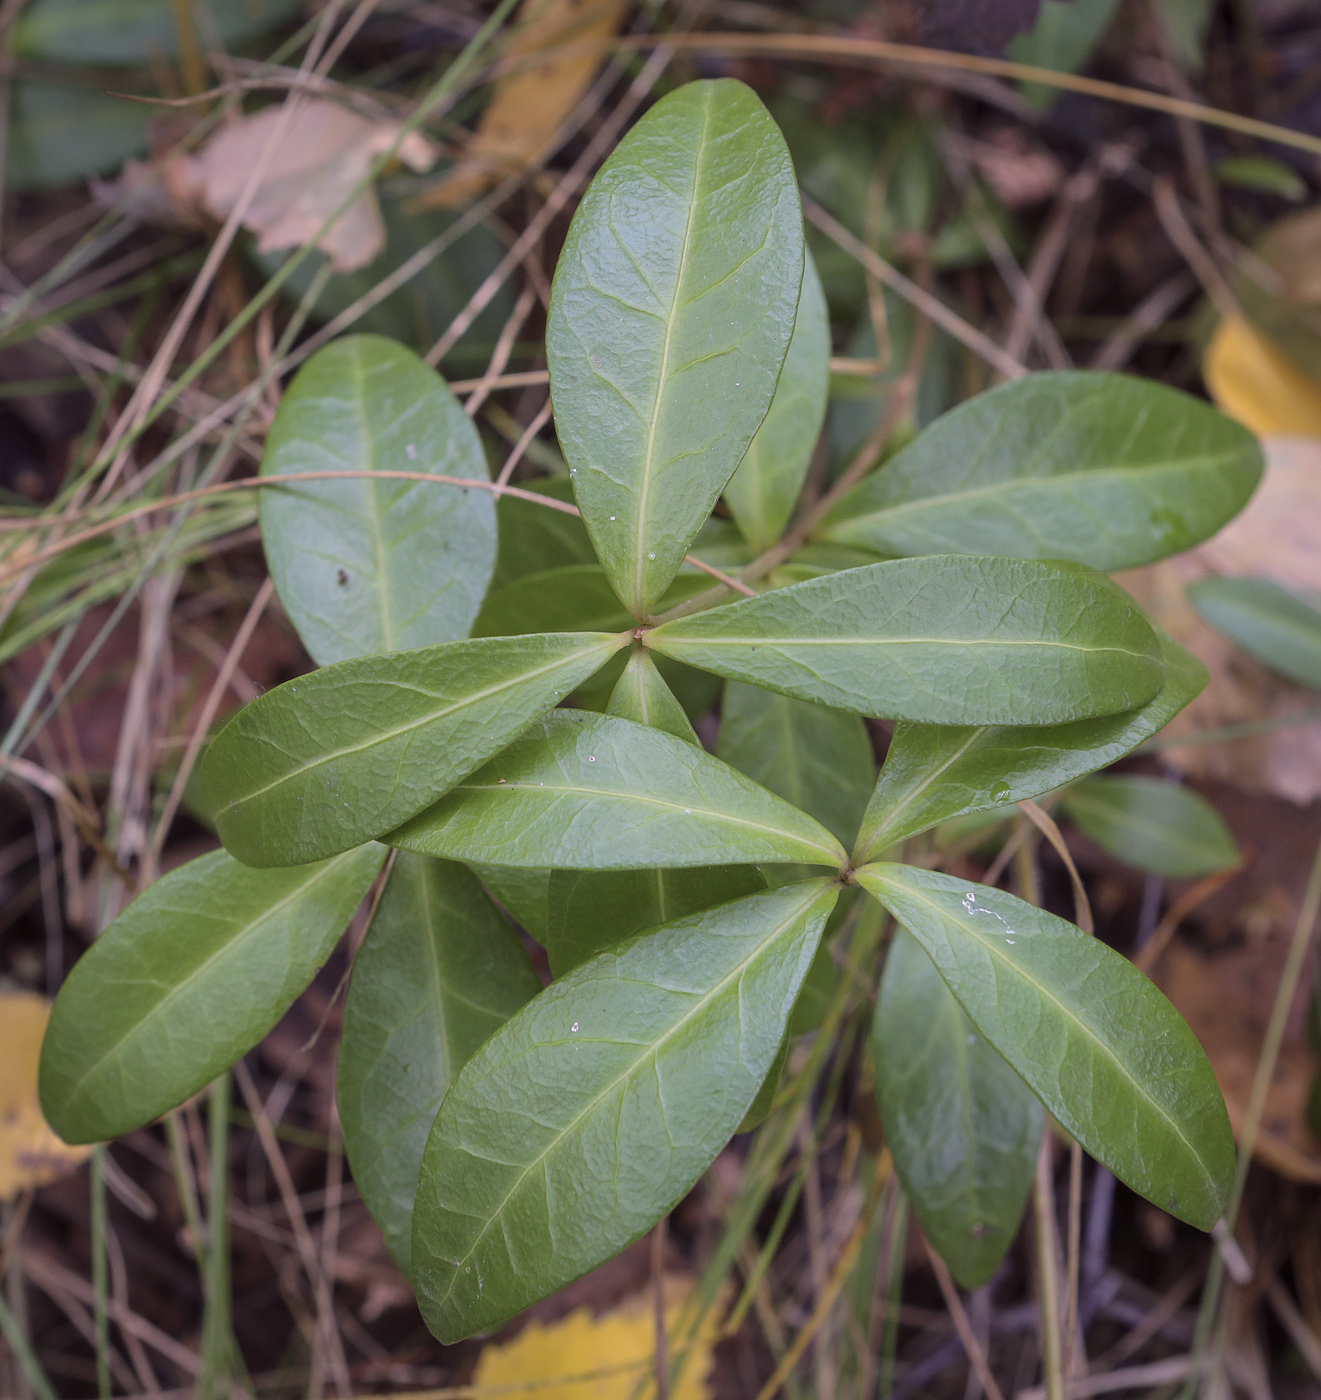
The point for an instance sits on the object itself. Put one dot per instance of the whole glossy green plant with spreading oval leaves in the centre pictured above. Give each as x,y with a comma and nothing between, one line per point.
502,705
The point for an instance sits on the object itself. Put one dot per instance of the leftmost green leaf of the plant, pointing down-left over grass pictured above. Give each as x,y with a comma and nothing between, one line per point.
185,982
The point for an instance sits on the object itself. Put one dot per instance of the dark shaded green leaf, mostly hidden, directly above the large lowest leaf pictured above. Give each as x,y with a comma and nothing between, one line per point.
595,911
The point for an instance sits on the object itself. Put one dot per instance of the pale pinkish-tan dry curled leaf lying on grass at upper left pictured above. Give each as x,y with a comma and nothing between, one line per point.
323,156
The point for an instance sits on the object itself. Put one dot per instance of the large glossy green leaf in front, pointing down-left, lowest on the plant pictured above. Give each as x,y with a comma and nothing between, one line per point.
591,1114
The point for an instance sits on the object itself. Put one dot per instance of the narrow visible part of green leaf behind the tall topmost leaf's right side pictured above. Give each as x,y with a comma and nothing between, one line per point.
766,486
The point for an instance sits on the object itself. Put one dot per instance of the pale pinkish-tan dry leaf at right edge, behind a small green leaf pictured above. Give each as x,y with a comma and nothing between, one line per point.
1276,537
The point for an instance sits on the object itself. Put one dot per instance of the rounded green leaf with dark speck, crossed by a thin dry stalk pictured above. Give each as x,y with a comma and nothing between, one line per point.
362,565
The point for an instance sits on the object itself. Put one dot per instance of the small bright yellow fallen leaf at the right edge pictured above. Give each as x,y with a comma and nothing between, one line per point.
1256,383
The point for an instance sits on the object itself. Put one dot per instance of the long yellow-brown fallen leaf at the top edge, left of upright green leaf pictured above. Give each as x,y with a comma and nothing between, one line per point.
532,100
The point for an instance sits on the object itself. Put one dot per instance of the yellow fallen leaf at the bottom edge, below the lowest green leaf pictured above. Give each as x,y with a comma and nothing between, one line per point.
583,1357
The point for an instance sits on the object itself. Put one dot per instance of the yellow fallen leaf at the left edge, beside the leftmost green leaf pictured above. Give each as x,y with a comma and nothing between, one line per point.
31,1156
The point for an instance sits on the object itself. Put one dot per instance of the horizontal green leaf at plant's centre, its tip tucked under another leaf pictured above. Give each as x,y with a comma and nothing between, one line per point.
588,792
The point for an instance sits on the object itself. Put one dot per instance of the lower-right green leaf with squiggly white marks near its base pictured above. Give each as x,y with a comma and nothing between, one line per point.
1096,1042
